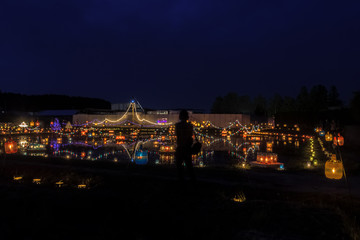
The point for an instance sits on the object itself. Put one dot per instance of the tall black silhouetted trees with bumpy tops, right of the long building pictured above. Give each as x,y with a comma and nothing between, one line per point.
308,107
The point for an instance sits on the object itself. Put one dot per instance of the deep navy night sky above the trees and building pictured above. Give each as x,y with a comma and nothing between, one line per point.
171,54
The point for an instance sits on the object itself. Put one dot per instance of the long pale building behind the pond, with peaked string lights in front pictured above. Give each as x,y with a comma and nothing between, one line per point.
231,123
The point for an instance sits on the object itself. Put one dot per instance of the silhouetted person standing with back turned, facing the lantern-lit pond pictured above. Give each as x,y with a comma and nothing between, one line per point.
184,136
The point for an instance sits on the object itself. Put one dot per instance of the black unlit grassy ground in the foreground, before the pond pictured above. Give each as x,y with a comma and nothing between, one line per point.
148,203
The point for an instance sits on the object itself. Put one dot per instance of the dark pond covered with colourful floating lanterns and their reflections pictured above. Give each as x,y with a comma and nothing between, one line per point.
291,151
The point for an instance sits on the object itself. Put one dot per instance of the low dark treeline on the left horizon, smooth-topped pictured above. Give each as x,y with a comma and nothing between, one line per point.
35,103
